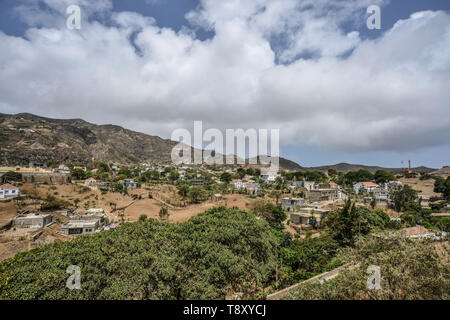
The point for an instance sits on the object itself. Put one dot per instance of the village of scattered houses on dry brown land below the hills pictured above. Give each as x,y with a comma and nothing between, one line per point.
43,204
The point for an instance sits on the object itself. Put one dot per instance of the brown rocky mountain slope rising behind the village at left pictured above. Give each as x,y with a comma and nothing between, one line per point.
28,138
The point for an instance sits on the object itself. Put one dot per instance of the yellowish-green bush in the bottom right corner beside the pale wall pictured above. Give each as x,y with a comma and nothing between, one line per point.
409,269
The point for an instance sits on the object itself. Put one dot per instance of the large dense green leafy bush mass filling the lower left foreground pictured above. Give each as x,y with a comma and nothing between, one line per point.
213,254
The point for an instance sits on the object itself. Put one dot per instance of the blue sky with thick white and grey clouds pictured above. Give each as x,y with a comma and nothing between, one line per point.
336,90
